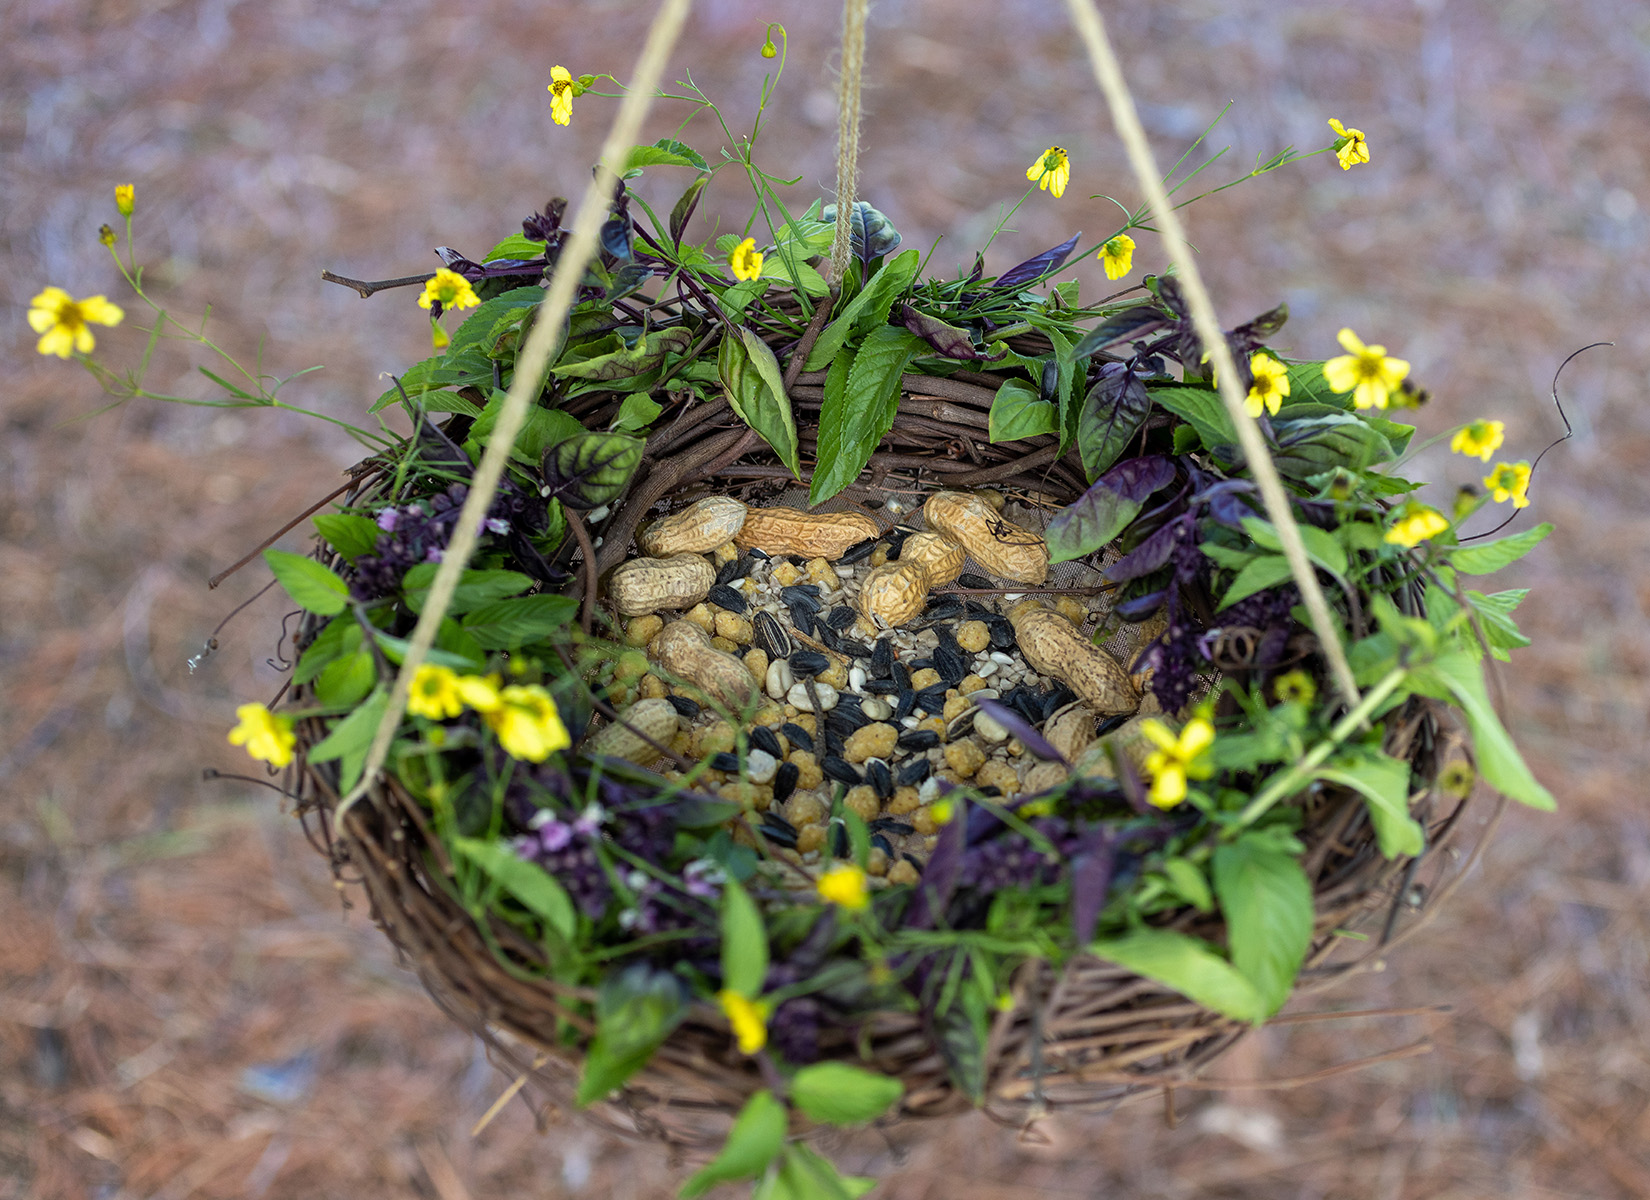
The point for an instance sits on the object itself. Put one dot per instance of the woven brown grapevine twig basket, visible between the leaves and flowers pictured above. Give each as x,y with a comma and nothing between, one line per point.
1078,1039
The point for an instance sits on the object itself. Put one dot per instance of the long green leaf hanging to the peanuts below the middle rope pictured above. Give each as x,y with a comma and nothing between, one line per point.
860,412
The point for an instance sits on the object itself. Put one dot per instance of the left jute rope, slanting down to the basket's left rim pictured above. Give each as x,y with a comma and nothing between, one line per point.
542,344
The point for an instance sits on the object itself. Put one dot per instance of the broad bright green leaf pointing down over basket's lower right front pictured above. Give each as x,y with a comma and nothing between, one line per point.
1268,907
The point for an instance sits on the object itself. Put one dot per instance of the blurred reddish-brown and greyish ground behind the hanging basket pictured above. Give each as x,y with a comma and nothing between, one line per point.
187,1004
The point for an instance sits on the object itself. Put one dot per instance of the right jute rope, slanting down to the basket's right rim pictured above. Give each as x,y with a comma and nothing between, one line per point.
1106,72
